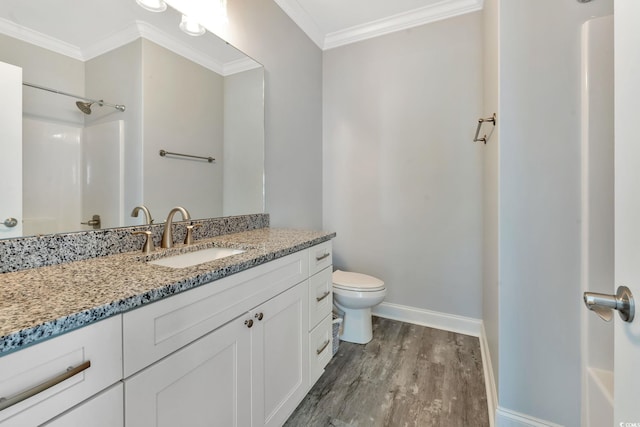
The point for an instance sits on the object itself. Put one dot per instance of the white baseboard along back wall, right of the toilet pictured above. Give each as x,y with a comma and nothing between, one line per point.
432,319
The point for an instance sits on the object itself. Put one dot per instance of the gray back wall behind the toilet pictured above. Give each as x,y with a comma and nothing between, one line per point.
402,177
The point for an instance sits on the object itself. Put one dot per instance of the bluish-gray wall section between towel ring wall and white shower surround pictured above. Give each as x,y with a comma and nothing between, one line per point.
539,207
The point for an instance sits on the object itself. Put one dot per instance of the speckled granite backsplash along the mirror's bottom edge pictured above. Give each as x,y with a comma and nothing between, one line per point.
40,251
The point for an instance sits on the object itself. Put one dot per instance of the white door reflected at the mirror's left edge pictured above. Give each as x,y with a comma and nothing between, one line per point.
10,151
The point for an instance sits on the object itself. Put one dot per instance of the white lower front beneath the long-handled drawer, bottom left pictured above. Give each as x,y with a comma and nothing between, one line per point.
103,410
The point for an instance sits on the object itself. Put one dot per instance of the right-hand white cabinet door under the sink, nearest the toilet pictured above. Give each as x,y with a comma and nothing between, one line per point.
279,356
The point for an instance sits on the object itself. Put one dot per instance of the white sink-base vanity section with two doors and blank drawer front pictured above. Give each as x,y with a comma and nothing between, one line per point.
249,369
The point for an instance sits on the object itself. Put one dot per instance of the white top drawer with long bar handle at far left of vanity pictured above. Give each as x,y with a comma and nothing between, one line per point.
99,343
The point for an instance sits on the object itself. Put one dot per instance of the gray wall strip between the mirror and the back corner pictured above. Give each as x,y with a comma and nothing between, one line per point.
293,109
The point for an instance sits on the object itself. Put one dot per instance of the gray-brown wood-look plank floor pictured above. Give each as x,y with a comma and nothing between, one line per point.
408,375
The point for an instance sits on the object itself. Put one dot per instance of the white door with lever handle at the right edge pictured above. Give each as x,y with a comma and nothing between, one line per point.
627,207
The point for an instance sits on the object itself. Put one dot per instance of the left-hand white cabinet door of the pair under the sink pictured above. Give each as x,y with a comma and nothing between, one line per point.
207,383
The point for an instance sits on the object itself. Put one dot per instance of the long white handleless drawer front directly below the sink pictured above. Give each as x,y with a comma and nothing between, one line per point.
163,327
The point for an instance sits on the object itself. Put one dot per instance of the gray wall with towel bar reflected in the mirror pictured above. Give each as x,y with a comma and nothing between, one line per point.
183,110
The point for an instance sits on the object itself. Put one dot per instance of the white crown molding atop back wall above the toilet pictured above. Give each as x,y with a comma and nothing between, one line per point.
402,21
